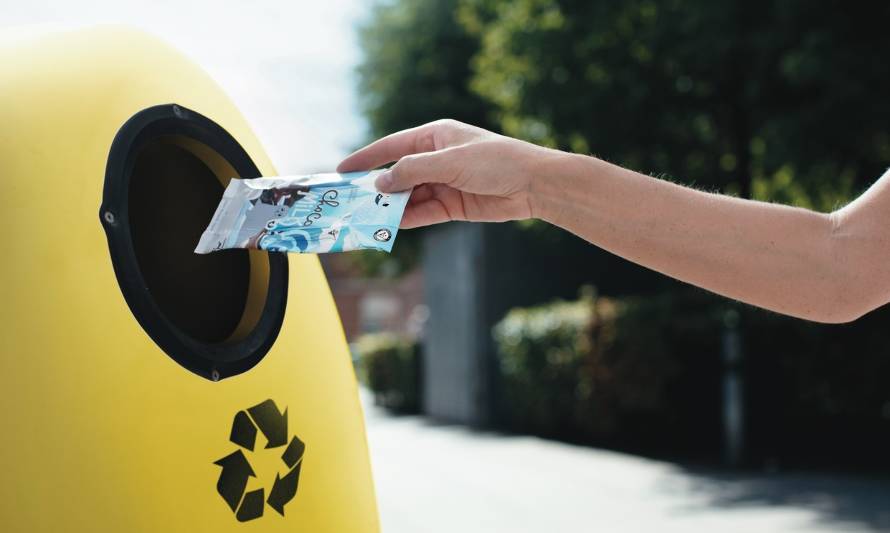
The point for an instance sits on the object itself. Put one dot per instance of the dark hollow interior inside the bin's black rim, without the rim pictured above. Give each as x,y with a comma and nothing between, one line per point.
173,195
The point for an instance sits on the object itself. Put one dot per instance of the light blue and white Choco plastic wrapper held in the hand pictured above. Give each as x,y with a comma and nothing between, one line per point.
316,213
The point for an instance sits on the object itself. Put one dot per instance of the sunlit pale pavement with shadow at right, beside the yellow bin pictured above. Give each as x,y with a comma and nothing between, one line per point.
433,479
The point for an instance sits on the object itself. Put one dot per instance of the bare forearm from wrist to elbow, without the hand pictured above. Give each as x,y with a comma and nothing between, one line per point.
781,258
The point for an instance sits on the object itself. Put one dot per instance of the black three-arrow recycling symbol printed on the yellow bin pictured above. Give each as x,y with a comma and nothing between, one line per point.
236,469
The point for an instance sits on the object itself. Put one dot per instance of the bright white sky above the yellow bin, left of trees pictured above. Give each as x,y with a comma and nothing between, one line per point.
287,64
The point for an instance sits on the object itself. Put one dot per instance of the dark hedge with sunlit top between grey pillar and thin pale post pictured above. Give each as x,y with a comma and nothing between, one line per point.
605,370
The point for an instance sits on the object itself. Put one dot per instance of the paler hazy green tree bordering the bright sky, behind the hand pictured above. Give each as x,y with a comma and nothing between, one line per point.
415,69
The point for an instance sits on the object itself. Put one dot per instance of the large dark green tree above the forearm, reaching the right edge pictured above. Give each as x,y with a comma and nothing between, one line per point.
776,100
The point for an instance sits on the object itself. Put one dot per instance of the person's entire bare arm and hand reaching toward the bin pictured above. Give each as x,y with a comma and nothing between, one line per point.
823,267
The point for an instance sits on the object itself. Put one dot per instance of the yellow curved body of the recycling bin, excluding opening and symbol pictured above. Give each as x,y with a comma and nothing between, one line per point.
102,431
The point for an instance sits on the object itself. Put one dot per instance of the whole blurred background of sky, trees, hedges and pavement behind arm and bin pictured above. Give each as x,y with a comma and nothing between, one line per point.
519,379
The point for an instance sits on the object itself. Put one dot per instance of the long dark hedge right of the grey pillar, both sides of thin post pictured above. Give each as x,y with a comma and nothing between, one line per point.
645,374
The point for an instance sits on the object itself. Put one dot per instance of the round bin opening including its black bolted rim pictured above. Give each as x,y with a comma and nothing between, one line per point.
218,314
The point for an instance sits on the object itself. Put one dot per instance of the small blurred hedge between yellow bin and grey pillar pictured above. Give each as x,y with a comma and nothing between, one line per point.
390,365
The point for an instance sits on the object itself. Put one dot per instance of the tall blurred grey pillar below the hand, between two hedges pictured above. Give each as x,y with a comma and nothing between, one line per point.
473,278
